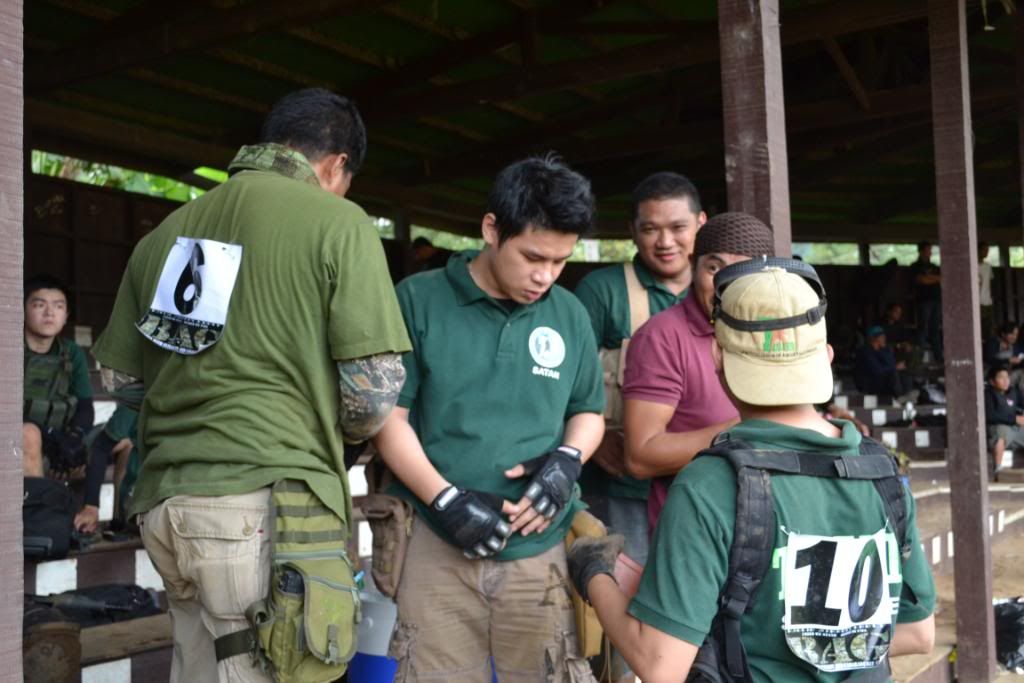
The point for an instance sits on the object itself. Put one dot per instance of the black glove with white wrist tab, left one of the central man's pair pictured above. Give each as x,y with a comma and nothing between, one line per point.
474,521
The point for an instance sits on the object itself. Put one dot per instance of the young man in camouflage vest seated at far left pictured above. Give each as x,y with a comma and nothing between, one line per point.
58,412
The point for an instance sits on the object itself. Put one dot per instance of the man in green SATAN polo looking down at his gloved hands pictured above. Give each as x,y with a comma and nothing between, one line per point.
501,407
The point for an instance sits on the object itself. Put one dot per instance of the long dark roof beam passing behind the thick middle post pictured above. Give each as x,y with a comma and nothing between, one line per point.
702,48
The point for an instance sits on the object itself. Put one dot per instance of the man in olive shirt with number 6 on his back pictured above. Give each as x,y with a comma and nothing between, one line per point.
262,322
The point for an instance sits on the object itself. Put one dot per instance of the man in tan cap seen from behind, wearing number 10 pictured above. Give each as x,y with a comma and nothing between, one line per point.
840,593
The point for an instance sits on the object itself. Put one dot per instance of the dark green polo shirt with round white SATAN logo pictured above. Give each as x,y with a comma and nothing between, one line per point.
489,390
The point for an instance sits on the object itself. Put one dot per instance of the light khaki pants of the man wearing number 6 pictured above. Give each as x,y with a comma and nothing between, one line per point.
214,556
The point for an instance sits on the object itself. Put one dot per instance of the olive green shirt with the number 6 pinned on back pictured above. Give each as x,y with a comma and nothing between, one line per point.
262,404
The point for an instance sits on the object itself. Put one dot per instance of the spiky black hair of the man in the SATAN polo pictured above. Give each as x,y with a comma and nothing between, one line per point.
543,193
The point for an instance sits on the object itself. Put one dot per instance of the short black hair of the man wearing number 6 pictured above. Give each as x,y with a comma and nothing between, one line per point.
318,122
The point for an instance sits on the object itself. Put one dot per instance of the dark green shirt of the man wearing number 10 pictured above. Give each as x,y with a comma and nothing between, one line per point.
690,554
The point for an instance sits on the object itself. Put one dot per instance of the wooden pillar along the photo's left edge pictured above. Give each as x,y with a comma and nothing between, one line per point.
12,334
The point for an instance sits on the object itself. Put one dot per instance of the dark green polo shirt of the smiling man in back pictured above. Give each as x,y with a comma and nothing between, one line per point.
605,296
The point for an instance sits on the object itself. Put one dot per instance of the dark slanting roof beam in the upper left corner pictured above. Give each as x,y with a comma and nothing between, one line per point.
160,42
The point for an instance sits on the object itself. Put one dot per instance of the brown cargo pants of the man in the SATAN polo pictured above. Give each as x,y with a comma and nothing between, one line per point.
455,615
